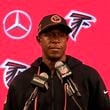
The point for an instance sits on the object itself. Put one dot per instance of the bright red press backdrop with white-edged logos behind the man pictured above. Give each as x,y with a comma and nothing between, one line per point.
18,29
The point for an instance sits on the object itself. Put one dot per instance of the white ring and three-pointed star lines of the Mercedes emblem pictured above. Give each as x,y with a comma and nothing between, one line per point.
17,24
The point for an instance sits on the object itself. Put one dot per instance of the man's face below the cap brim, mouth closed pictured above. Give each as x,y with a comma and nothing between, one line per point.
53,43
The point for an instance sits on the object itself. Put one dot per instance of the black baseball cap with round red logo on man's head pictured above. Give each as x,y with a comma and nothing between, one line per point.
53,20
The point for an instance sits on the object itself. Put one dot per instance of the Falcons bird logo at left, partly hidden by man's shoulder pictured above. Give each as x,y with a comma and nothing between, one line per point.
12,69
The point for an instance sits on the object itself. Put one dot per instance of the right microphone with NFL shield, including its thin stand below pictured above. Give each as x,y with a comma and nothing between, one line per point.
63,72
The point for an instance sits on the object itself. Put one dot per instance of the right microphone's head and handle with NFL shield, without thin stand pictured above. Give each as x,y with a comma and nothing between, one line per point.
63,72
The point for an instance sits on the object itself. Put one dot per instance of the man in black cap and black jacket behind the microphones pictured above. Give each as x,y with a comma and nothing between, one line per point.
92,95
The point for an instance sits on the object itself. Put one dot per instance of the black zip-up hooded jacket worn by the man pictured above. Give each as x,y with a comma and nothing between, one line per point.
86,78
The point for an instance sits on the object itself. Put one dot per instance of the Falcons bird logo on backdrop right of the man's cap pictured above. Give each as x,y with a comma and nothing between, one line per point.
77,21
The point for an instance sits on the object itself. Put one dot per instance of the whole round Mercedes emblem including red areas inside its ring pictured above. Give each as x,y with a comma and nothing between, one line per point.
17,24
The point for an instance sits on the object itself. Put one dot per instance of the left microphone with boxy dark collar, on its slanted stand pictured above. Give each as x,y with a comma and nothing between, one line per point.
40,82
